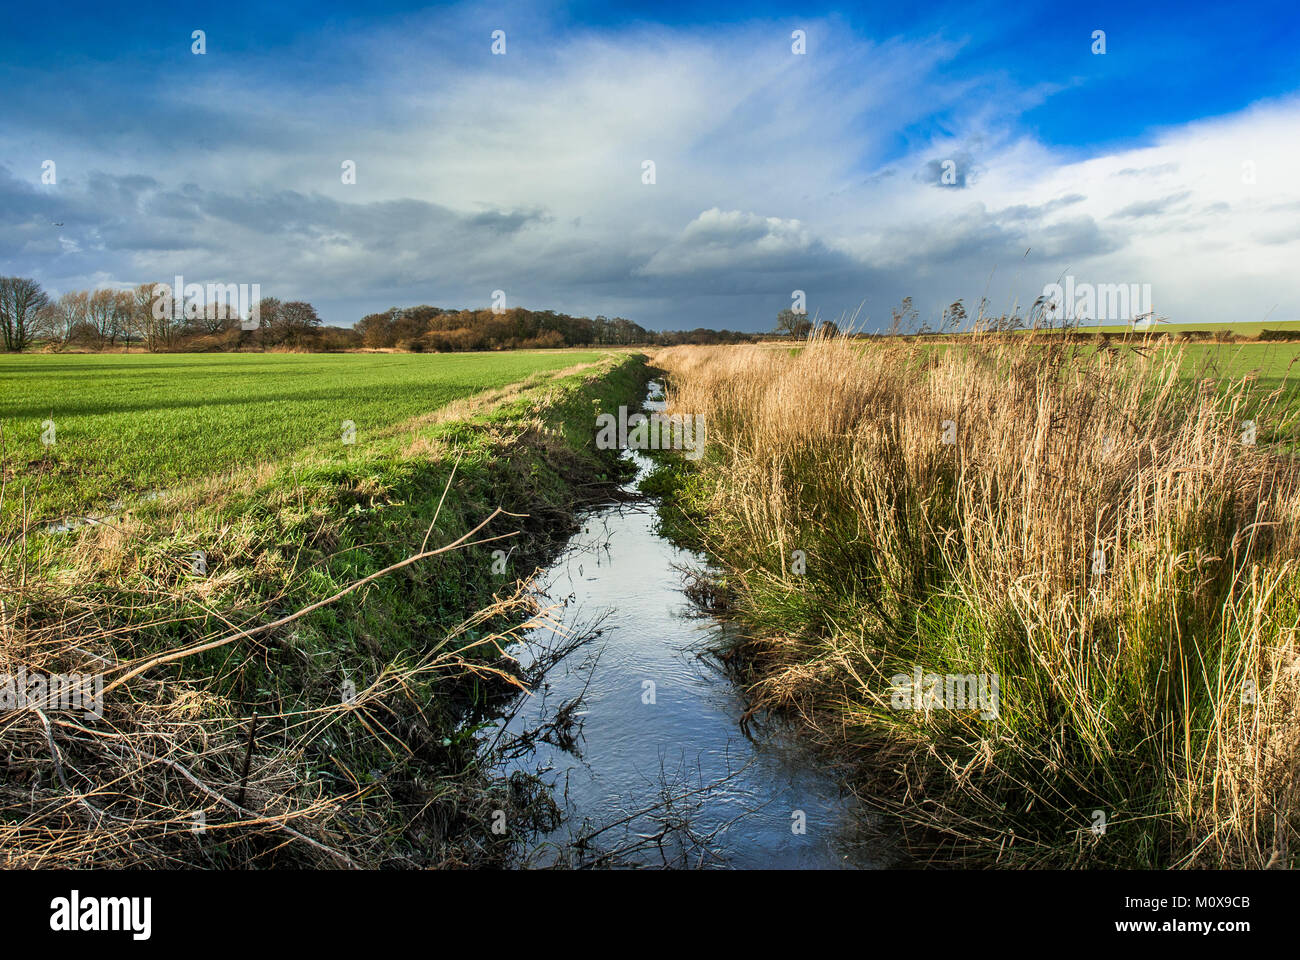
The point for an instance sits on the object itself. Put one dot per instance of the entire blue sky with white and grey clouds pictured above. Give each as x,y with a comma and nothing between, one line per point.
935,150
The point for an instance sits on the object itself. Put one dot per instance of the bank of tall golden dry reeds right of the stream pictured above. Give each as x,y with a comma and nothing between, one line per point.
1094,531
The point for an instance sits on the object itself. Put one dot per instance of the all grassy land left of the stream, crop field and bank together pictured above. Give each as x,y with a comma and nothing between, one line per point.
372,563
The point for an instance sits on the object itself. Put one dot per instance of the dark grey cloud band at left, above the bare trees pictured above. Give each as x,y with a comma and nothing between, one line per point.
129,227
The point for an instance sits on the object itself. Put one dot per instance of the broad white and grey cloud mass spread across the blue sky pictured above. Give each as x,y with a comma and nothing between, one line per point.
773,172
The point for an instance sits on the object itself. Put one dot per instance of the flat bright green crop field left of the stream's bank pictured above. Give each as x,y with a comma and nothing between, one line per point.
128,425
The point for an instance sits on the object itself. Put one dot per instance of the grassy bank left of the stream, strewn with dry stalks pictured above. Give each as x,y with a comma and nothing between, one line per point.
296,652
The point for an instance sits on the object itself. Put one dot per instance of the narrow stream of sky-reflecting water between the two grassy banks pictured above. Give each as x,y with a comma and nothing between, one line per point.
653,767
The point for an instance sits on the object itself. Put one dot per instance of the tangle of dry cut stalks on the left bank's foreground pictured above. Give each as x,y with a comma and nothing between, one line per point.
174,775
